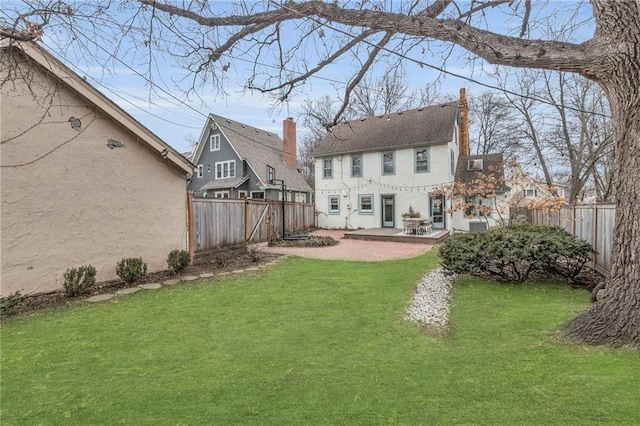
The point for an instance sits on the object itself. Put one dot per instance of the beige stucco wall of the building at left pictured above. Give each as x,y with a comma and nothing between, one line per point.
68,200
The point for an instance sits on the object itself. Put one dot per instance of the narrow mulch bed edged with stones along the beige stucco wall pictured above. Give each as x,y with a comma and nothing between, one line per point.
239,260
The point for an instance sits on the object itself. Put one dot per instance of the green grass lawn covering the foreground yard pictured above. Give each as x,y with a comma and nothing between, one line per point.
314,342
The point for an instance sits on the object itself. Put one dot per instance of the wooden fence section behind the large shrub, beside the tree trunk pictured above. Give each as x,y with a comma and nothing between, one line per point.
591,222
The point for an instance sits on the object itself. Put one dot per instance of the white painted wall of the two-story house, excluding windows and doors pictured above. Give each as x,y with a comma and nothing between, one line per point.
409,188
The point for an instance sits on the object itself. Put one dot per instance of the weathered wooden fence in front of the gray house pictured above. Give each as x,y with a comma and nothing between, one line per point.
217,223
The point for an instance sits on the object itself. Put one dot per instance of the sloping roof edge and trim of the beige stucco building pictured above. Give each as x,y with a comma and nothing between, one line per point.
76,83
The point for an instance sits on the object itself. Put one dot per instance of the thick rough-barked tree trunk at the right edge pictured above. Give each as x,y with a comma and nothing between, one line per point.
615,319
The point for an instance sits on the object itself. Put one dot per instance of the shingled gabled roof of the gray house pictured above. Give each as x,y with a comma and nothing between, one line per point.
258,148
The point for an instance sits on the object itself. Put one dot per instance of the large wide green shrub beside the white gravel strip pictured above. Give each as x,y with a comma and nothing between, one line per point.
516,253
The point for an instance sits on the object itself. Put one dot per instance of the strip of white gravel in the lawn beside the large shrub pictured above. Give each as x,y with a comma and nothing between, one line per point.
430,304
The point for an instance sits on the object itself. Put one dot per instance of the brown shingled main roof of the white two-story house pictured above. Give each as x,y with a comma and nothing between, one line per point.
422,126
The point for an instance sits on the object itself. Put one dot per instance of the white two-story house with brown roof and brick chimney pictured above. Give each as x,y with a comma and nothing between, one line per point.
369,172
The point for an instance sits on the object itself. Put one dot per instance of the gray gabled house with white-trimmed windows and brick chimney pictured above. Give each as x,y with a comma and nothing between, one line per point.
235,160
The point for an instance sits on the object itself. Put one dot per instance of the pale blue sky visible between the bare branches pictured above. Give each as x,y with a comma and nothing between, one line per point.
162,107
